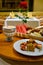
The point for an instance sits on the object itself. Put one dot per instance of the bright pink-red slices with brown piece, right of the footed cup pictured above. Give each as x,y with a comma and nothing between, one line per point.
23,28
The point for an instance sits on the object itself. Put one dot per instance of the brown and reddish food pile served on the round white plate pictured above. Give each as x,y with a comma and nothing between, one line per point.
30,45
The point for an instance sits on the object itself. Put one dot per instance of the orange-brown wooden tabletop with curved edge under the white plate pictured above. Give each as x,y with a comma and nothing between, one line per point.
7,51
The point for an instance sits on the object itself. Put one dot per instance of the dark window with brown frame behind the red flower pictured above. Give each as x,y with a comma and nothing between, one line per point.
13,5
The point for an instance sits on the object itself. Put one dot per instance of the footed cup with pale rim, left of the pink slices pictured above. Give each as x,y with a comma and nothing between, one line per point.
9,32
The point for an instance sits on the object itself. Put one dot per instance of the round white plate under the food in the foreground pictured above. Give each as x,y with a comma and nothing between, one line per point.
16,46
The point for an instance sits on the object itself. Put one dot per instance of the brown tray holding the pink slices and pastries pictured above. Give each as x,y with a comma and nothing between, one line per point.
28,35
